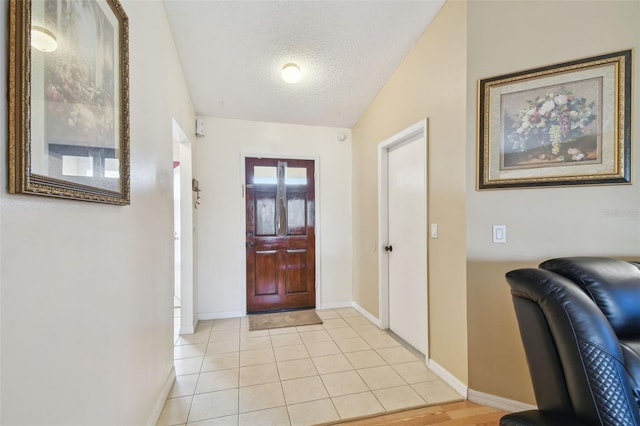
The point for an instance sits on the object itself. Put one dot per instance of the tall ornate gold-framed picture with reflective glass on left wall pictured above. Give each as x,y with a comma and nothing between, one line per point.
69,111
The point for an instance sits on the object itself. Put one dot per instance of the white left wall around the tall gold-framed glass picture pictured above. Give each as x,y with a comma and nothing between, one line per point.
86,289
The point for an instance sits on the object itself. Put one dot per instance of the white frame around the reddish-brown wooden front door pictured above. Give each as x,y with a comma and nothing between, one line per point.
243,228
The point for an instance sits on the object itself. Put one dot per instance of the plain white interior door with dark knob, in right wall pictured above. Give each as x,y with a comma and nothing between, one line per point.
407,241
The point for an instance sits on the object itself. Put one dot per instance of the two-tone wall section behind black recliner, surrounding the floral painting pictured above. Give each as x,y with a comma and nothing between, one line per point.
505,37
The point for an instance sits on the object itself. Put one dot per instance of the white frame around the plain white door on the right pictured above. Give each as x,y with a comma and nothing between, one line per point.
411,133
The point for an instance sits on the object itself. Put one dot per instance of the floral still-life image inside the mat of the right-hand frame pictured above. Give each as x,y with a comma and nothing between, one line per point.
551,126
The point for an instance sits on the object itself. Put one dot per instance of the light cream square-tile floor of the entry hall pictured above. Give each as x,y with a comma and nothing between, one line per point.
346,367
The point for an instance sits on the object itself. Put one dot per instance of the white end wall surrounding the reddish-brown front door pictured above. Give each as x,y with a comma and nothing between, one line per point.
221,215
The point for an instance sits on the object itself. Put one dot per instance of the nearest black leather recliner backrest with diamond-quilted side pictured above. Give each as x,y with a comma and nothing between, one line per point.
583,345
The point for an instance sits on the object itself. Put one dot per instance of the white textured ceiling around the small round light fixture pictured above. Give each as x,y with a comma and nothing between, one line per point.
232,53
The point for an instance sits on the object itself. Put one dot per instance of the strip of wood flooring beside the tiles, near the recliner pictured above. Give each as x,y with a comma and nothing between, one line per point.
457,413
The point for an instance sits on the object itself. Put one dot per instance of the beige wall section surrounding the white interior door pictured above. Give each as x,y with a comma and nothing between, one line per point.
429,83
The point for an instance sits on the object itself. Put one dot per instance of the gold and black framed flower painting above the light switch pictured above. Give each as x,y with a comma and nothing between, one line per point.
563,124
